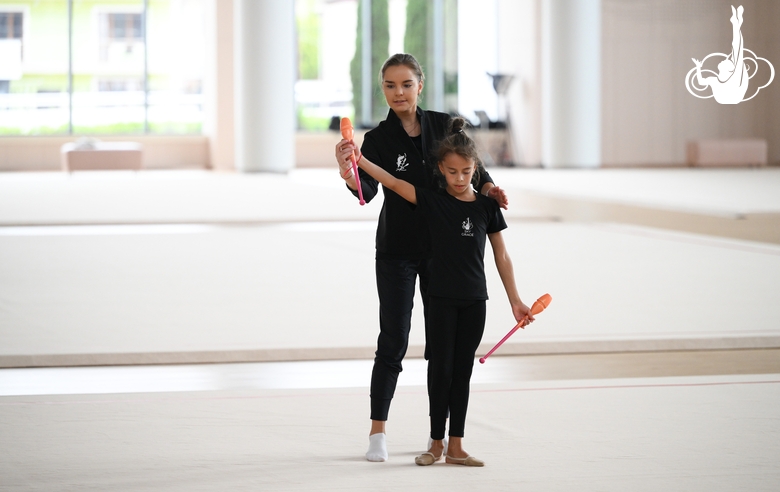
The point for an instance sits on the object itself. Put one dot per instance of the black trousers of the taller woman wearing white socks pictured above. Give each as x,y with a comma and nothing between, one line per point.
395,280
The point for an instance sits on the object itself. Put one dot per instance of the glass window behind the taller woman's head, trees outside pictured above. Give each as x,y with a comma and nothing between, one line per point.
339,65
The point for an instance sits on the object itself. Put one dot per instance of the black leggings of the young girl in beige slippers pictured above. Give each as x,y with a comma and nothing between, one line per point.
455,330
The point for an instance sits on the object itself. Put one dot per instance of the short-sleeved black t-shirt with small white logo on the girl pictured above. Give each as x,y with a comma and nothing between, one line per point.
458,234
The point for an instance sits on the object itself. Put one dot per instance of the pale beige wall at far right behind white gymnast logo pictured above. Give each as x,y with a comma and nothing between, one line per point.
647,46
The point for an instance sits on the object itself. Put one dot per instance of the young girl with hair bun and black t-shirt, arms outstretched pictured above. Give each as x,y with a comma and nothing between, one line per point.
459,219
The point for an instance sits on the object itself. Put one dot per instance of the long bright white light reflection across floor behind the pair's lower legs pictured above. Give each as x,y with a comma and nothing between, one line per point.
211,377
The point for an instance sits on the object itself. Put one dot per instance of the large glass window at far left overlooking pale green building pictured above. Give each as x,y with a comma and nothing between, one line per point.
101,66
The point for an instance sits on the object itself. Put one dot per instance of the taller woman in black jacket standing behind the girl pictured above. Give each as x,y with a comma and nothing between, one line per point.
402,144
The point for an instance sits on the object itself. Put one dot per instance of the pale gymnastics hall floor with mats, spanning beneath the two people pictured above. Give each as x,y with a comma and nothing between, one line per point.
198,331
